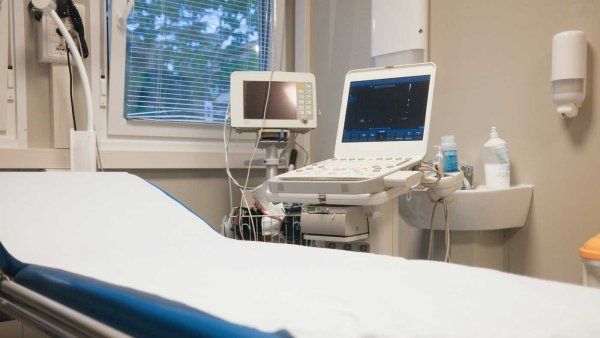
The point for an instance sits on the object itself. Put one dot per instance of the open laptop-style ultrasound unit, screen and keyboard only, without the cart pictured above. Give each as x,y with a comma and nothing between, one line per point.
383,128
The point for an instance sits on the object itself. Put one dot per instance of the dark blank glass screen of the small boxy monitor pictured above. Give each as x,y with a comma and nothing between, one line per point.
282,100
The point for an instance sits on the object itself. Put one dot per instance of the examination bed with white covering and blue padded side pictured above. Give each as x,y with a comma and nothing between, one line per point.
120,257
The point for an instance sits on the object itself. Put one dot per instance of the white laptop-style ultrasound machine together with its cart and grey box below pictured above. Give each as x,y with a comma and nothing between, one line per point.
382,134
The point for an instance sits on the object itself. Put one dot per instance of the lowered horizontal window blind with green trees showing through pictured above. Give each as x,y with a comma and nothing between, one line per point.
180,54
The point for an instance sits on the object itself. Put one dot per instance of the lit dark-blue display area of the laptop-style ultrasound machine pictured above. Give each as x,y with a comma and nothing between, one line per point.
386,110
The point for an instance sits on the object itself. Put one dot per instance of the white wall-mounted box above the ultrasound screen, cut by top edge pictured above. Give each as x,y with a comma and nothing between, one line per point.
399,31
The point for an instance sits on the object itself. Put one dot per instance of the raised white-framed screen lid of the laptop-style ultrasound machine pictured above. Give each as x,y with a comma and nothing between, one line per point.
386,112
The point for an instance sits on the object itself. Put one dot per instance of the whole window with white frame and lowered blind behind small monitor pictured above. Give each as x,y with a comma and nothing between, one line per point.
169,66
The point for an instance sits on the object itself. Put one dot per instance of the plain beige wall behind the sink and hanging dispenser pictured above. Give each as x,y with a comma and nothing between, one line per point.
494,62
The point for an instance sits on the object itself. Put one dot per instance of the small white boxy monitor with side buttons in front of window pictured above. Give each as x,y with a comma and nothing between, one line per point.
273,100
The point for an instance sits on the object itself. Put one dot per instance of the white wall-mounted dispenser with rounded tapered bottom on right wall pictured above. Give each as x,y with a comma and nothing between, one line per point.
569,69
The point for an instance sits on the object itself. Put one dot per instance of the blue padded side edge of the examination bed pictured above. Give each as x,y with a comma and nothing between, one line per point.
132,312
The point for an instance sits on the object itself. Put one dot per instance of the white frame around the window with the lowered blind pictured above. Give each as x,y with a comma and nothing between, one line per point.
180,134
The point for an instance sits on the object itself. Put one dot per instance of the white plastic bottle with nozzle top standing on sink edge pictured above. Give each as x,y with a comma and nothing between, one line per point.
496,162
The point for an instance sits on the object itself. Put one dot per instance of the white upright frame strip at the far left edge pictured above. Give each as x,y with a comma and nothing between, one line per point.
13,112
